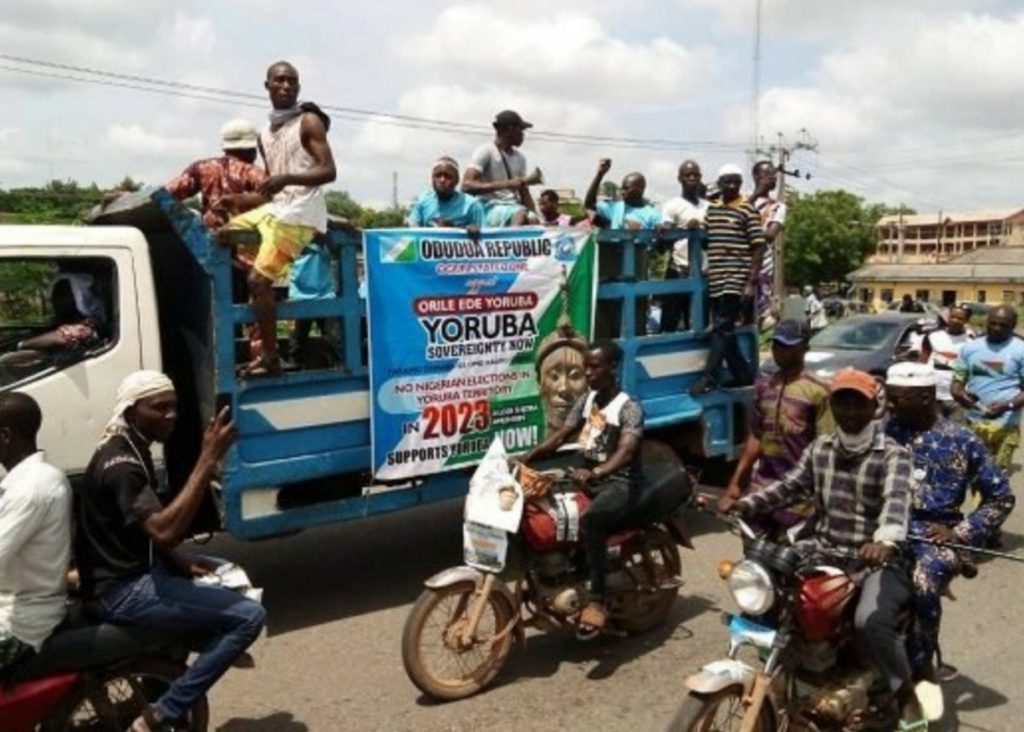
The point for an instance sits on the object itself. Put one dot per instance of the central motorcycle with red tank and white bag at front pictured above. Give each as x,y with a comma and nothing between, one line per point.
460,632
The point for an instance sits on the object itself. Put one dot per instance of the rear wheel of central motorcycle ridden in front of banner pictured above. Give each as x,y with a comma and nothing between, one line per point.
653,559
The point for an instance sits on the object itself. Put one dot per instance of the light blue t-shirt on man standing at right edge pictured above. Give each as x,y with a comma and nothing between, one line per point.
993,372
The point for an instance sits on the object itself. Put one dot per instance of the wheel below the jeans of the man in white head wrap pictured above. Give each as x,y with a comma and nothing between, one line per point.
111,703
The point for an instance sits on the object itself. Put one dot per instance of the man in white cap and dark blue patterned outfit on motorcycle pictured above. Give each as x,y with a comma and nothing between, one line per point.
949,461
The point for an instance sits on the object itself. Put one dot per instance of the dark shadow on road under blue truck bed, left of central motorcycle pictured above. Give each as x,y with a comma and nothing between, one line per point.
349,570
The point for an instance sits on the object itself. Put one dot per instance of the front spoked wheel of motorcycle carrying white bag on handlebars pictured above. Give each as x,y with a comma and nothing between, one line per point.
437,658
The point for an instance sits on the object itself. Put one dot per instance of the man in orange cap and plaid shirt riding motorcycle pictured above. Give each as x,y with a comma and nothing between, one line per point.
860,482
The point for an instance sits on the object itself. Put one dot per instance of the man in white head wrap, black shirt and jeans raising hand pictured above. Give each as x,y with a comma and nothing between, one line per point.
126,542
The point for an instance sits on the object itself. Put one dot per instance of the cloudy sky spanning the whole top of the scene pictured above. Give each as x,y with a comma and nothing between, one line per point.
912,102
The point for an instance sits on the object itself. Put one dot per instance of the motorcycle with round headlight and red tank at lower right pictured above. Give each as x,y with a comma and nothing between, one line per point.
798,617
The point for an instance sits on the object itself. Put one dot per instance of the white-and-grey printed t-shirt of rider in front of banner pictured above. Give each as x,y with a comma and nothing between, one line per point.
602,428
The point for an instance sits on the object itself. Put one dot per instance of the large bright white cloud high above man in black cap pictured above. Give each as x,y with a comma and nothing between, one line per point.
563,54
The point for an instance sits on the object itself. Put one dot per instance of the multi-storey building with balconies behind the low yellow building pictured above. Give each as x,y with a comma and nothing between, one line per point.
919,239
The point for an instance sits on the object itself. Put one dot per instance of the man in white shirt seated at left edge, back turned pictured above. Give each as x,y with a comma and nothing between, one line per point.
35,534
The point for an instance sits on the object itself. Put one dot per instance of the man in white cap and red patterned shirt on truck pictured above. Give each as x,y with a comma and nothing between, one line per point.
225,182
